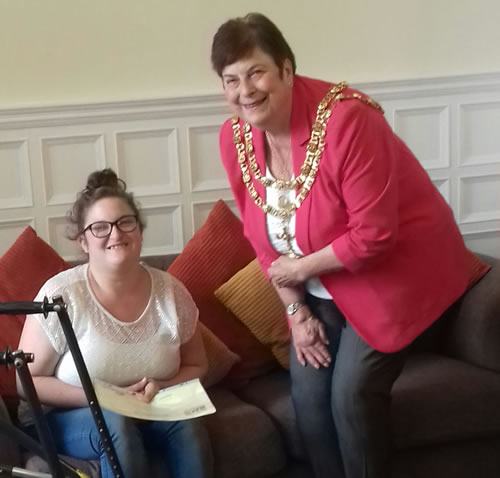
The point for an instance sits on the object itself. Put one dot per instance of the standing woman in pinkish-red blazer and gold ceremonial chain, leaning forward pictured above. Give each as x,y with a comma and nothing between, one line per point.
361,247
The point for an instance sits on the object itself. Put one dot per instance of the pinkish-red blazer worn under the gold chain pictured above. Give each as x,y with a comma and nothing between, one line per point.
404,258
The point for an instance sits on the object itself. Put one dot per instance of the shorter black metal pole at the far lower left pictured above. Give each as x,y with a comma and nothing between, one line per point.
21,360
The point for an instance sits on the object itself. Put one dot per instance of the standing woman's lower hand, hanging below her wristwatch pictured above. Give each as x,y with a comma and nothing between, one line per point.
310,342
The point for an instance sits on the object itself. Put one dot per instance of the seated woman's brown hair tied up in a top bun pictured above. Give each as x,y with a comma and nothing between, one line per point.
100,184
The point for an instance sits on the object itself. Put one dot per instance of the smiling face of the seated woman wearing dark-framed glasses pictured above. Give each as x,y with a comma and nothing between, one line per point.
117,248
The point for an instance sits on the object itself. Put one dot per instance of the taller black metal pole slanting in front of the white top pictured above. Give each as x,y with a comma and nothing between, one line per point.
60,307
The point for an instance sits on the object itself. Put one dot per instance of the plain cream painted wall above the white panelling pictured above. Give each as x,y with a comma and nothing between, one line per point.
79,51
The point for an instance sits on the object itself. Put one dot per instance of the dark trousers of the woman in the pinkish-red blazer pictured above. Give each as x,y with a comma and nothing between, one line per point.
343,411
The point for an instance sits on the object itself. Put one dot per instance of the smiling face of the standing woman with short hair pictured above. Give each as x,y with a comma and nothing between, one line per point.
258,91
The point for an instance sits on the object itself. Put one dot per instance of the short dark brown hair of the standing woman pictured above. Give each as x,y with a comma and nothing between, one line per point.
238,37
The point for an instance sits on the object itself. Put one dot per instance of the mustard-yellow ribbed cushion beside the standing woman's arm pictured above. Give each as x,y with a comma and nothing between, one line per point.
252,298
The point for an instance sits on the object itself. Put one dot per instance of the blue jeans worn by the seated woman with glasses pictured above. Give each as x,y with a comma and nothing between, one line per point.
184,444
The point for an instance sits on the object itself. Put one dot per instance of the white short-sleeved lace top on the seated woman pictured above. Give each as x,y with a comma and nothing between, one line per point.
120,352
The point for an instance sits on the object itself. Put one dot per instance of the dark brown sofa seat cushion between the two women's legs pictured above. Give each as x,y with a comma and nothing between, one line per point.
245,442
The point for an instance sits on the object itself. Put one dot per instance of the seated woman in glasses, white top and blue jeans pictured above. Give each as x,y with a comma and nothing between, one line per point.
137,329
